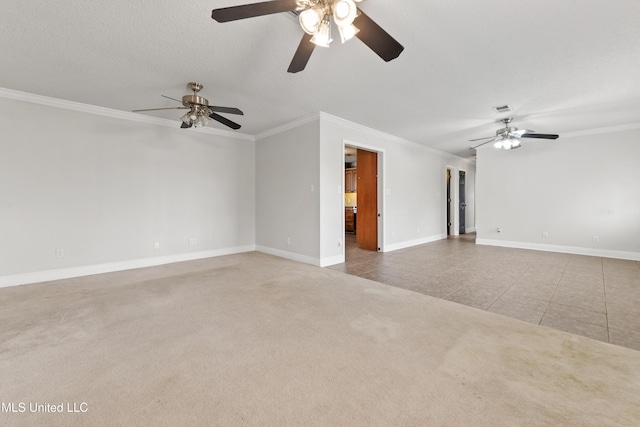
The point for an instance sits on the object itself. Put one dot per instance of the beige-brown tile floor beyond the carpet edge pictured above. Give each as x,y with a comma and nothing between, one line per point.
590,296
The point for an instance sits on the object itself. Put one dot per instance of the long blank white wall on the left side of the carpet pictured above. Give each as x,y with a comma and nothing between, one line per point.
104,189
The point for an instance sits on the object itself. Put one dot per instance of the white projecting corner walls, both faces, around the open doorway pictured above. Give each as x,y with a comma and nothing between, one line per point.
310,154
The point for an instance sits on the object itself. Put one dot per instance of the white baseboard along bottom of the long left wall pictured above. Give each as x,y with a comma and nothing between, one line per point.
87,270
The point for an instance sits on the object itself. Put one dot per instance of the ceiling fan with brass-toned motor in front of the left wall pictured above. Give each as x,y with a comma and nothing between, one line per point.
199,110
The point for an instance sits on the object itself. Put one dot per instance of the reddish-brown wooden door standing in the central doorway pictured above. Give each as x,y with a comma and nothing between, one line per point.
367,184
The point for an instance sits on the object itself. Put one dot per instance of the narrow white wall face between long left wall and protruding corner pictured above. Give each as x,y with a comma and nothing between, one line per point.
287,188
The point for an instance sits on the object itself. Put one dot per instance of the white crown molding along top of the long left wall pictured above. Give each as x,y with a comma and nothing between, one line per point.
118,114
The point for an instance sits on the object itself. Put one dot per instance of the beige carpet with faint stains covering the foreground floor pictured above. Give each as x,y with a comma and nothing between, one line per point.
256,340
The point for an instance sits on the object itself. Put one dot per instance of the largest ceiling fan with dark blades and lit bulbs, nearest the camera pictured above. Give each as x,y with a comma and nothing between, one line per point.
315,19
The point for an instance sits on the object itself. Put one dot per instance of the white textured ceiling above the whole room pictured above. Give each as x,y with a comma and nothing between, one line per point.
563,65
